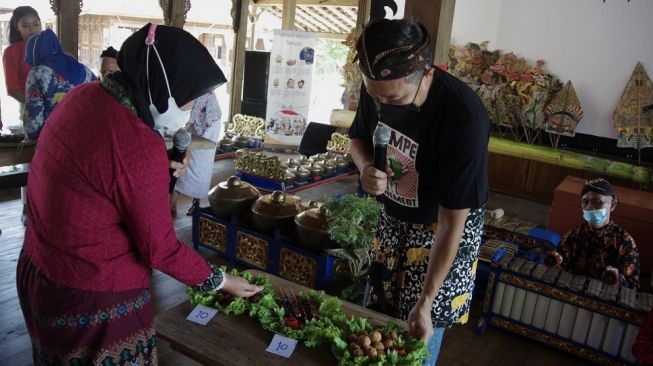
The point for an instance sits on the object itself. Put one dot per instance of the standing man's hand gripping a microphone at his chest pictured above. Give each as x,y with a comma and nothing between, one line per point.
374,177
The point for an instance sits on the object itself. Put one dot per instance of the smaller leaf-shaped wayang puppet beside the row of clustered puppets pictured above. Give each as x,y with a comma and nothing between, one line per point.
563,113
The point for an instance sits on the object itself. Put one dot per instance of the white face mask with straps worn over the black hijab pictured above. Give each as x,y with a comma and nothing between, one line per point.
174,117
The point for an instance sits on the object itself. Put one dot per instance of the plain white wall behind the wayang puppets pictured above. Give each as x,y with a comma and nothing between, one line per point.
596,45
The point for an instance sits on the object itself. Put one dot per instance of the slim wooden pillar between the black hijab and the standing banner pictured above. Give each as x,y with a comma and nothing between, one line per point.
240,13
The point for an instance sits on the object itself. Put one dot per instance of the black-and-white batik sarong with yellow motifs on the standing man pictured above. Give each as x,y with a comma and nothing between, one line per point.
399,262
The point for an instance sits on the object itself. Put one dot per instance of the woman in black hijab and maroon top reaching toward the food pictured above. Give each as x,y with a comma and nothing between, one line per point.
99,214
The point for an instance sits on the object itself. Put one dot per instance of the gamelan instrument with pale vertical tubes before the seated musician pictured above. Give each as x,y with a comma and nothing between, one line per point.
574,313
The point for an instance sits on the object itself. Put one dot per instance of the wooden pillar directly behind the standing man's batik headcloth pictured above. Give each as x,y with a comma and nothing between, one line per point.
437,17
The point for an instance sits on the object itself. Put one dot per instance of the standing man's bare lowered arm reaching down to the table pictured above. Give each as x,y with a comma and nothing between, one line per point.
451,225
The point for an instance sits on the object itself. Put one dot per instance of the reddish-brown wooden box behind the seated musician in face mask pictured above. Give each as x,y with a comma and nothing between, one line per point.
634,213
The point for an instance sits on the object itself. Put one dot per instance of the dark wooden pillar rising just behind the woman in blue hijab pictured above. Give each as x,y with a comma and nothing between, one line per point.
67,12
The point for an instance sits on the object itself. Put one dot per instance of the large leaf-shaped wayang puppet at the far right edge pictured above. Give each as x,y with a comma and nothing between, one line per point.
633,119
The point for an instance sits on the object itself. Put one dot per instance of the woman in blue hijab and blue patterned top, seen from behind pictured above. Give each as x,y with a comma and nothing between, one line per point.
52,75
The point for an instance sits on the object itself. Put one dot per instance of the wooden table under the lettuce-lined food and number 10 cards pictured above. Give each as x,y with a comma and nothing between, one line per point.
239,340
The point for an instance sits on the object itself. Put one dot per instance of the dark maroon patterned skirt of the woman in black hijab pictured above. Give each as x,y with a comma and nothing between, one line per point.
75,327
